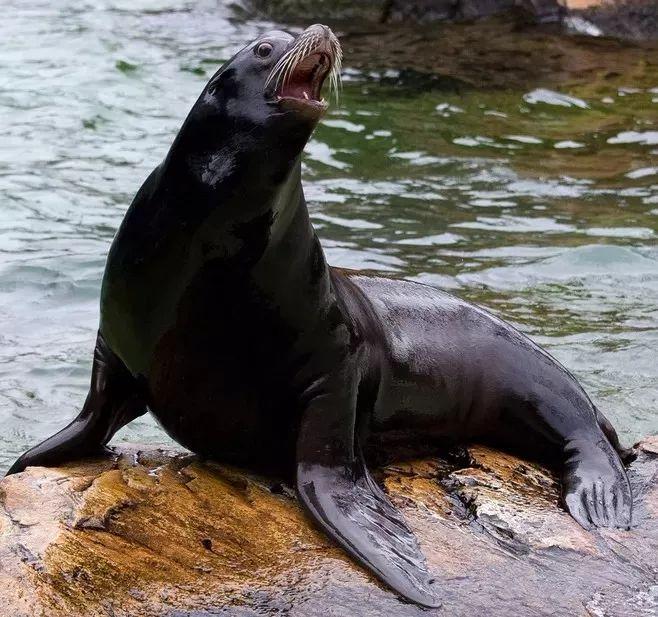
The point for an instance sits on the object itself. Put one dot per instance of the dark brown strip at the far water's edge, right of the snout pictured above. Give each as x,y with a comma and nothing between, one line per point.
492,54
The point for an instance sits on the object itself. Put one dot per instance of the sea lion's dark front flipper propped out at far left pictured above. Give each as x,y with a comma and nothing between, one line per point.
112,402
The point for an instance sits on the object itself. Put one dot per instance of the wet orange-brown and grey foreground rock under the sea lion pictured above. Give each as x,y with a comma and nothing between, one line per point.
157,533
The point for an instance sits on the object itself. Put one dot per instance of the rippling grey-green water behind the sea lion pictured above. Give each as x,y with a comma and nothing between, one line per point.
542,206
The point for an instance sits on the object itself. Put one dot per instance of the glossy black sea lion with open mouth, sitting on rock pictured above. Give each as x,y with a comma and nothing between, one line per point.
220,315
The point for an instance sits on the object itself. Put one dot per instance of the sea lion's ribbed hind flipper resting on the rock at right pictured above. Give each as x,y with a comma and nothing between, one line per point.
596,490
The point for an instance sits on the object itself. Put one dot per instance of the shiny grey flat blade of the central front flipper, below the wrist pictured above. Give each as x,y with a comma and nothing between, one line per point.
349,506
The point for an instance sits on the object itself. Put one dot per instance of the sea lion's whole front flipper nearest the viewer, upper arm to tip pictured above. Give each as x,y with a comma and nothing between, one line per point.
339,493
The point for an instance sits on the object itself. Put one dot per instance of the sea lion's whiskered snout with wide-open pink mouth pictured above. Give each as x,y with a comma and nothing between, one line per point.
297,78
